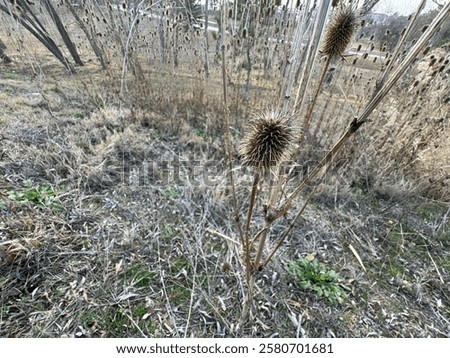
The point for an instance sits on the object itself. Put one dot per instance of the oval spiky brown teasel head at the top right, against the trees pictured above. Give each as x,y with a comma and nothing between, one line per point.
339,32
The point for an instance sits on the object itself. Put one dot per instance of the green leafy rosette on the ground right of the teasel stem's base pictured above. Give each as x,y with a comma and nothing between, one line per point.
311,275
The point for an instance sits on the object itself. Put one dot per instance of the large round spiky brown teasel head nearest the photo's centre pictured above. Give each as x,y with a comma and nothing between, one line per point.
268,141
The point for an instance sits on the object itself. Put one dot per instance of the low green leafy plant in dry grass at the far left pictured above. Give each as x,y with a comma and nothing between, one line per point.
43,196
